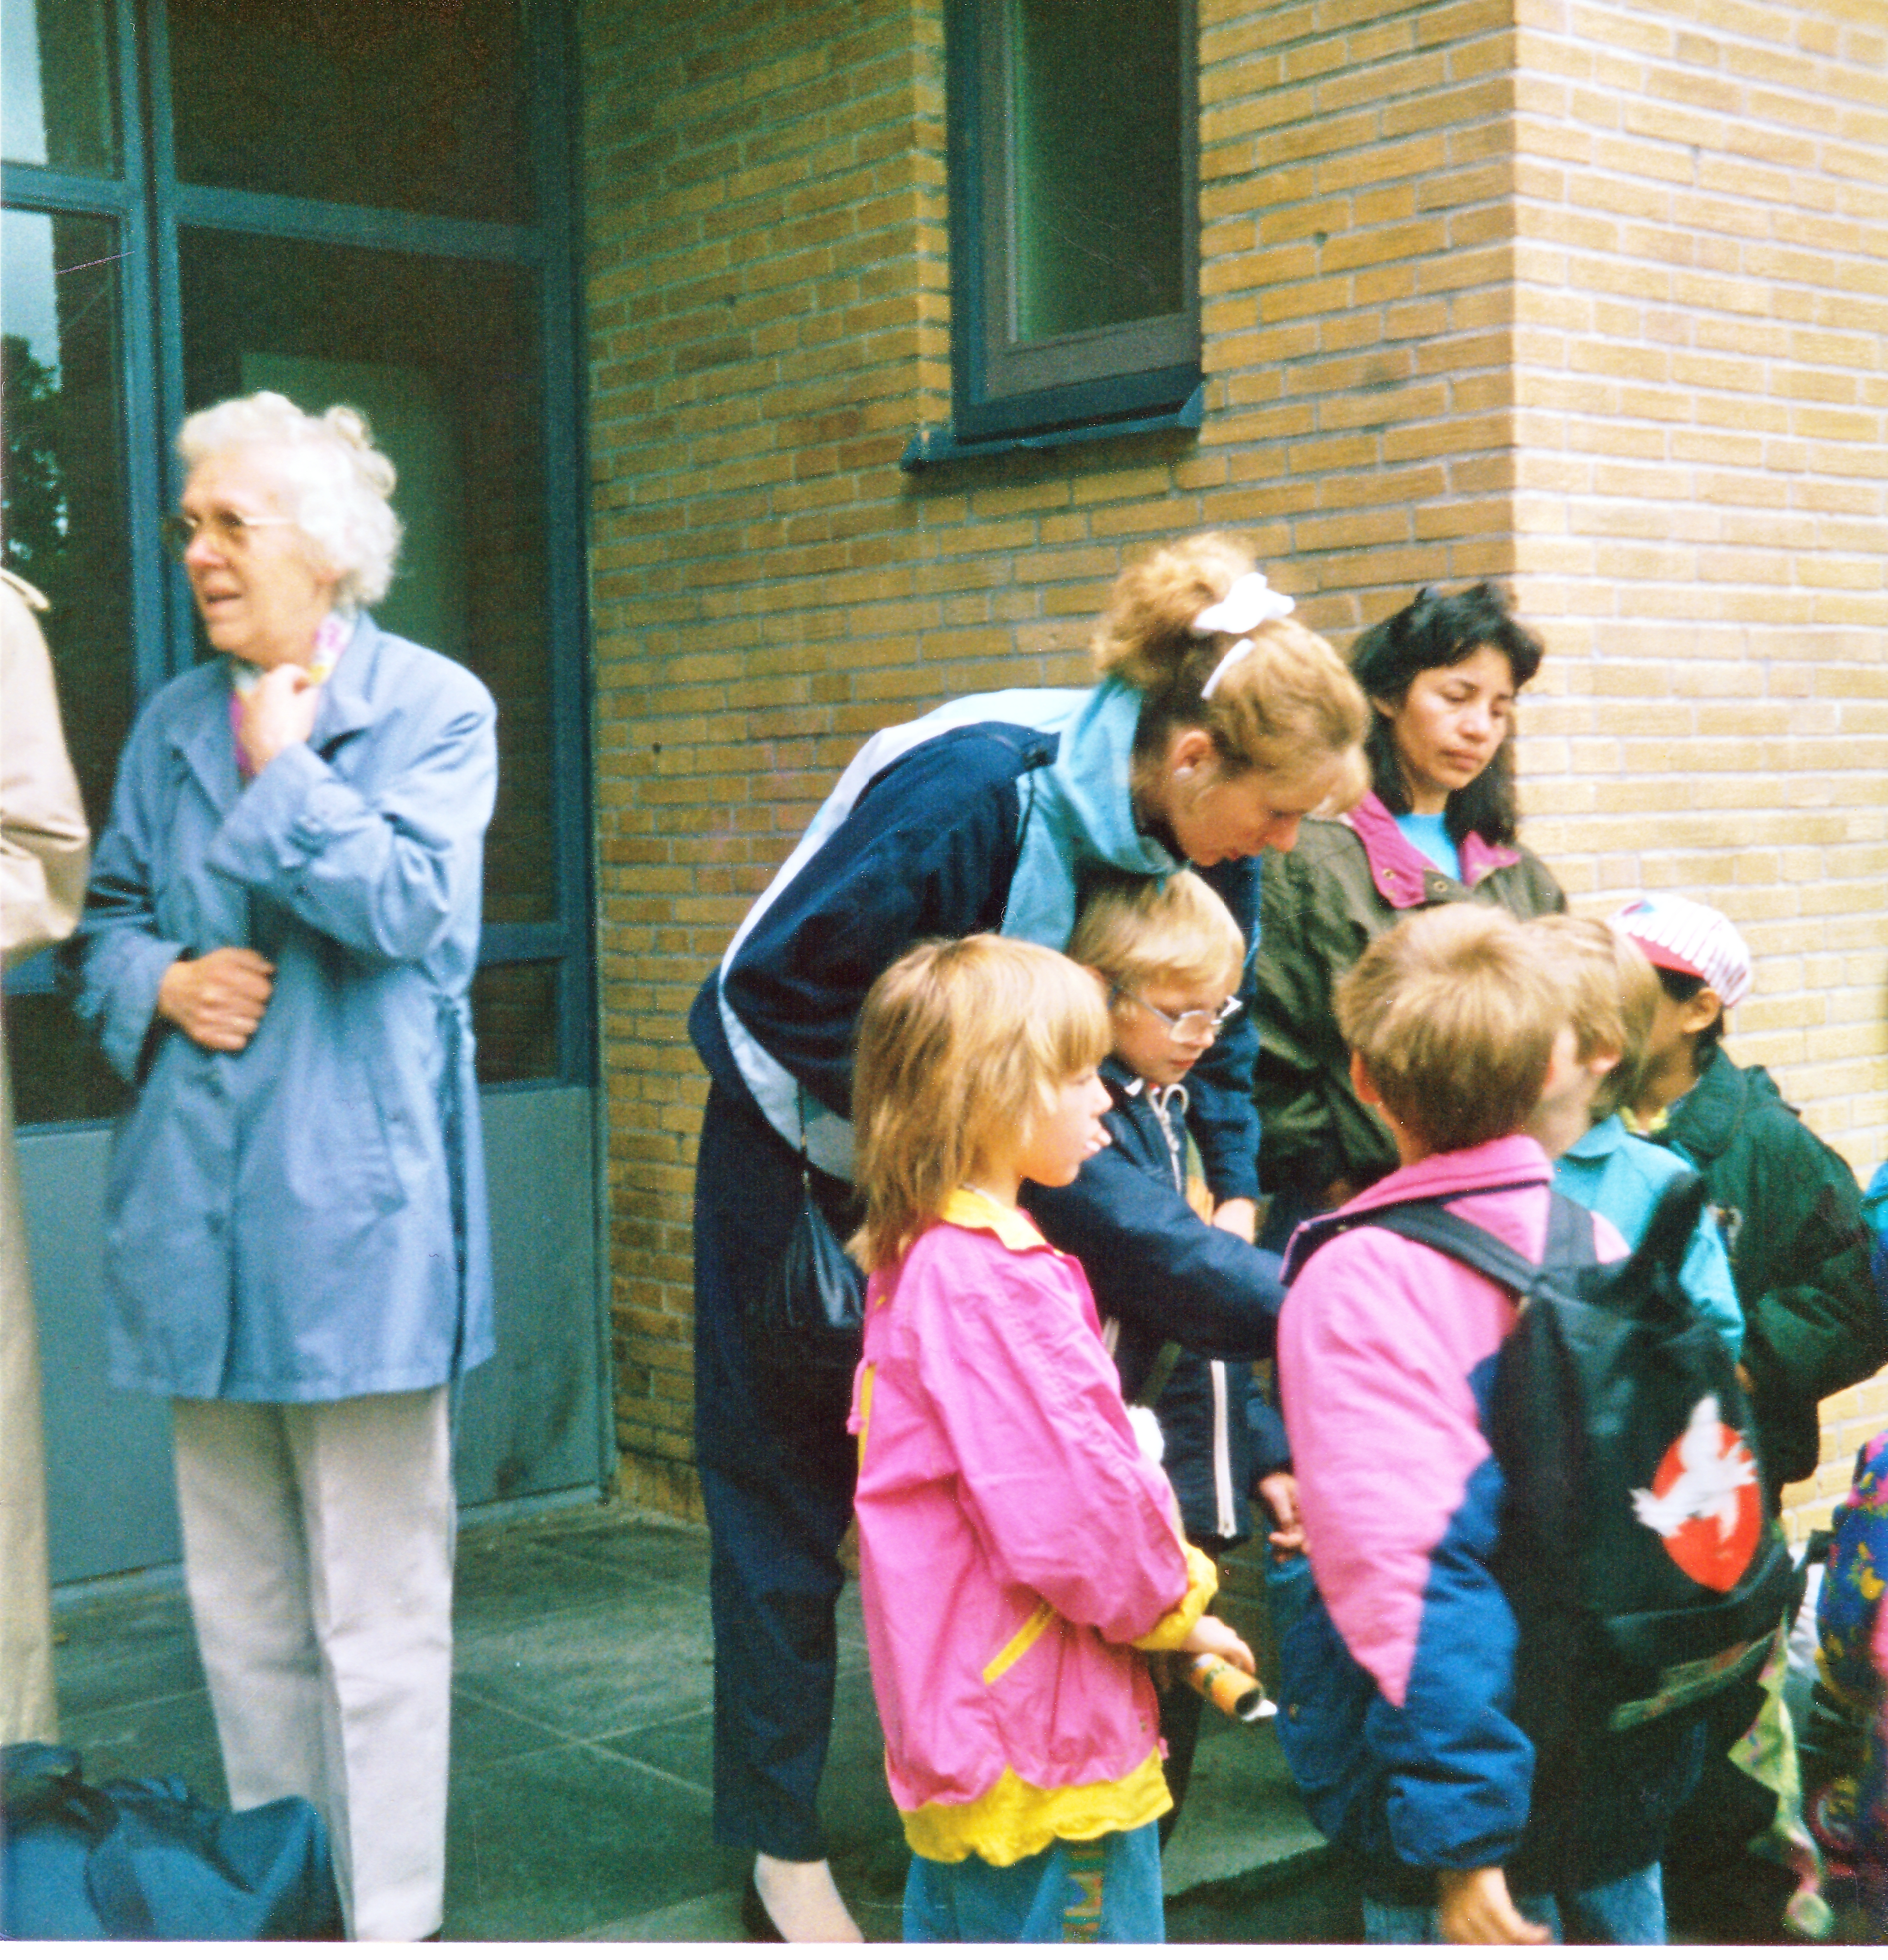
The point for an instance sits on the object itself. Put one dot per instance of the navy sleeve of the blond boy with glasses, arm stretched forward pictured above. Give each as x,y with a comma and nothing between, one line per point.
1158,1265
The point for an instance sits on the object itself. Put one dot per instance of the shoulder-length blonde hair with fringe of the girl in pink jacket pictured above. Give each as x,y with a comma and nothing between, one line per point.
962,1048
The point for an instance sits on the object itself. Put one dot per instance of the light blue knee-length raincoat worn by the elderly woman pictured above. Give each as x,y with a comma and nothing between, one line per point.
305,1220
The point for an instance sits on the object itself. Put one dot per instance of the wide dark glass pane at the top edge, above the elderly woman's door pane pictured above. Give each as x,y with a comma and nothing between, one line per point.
413,105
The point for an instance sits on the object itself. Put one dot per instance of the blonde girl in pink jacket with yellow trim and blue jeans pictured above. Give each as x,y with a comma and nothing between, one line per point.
1017,1547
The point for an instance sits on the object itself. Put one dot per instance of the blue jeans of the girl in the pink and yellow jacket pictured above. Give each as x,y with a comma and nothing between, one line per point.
1103,1890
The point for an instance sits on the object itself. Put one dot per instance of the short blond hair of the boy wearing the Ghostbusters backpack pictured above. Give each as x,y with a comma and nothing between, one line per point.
1456,1016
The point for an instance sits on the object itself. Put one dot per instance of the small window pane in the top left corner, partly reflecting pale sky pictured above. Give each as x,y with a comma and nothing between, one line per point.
56,85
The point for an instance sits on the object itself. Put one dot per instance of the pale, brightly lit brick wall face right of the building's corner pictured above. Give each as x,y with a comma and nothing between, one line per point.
1703,511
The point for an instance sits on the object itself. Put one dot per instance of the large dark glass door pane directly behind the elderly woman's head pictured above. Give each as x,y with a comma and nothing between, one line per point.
442,358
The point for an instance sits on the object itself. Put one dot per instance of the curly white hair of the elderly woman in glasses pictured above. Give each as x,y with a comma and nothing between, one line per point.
336,483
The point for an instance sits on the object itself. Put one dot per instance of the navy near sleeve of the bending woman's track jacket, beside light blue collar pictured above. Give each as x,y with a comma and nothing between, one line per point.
926,854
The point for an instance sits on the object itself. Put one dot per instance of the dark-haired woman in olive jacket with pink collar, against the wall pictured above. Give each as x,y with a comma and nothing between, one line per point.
1438,828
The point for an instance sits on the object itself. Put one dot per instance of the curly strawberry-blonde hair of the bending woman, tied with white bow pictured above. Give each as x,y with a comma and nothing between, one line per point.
1289,707
